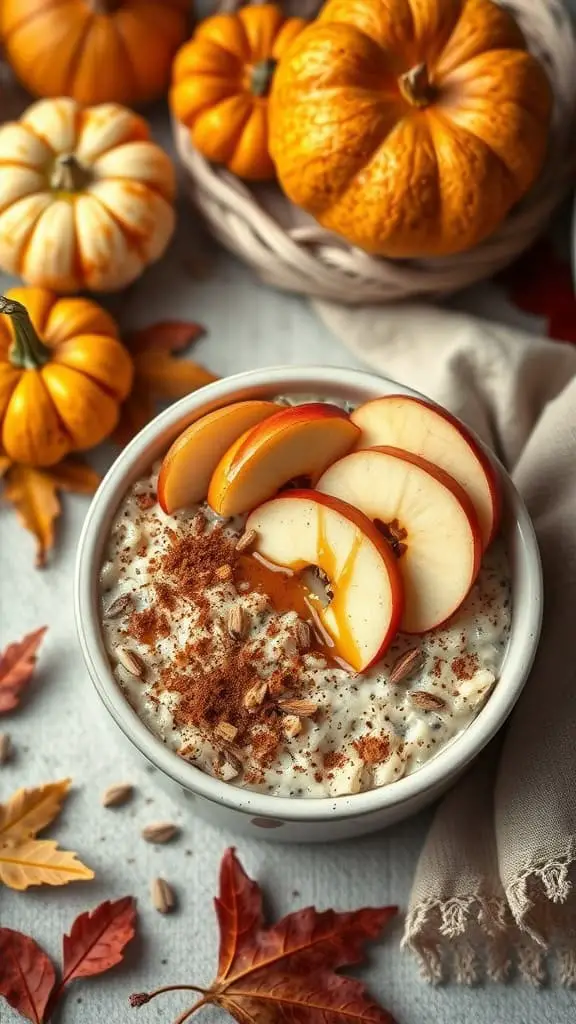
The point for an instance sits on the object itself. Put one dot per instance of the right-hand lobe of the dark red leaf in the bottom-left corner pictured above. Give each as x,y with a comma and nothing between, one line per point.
98,940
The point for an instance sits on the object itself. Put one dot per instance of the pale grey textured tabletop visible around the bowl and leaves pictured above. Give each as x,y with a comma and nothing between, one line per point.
63,731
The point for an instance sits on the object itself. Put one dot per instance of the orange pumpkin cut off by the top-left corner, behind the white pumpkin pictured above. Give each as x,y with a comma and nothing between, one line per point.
95,51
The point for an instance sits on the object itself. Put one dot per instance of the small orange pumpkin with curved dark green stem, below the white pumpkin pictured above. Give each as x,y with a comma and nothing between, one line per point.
64,374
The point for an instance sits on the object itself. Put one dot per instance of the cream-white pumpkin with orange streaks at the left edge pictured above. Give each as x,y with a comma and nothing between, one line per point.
87,199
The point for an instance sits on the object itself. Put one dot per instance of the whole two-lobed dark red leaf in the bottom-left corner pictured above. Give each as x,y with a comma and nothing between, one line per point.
97,943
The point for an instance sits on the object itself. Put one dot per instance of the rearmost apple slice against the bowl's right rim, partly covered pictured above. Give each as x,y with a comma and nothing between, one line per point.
413,424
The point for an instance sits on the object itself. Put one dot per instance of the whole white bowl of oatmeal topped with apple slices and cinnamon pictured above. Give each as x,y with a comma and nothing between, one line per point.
310,598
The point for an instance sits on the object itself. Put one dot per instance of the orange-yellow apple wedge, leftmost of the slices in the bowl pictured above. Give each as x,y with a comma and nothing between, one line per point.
190,462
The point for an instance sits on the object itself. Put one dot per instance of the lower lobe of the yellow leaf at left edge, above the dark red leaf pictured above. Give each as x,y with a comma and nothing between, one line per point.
39,863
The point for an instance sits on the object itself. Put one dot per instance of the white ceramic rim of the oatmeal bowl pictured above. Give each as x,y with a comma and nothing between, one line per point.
449,763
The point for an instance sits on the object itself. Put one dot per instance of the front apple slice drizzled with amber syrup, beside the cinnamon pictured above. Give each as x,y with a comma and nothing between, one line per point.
304,528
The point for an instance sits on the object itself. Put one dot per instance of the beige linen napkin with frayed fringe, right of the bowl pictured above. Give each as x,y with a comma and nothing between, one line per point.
495,886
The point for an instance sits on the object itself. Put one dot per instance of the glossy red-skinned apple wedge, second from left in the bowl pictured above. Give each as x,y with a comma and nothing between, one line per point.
299,442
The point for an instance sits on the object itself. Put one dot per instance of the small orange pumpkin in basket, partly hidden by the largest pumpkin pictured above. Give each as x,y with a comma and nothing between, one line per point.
222,79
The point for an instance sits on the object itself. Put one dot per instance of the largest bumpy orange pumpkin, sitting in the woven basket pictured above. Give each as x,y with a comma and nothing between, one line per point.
409,127
